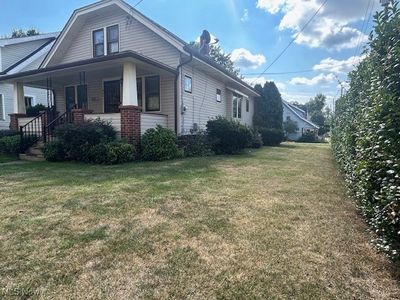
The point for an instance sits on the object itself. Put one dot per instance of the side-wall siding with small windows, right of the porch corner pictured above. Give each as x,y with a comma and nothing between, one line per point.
201,105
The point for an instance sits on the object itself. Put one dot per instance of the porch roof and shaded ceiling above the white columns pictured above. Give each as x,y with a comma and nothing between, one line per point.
111,66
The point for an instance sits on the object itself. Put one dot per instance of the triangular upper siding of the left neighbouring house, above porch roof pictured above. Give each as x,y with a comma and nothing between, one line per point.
11,54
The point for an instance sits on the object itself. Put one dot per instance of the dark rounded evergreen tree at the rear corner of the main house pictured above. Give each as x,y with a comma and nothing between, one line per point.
268,108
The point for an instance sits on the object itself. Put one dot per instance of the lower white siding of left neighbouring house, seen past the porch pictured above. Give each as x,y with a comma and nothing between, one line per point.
7,90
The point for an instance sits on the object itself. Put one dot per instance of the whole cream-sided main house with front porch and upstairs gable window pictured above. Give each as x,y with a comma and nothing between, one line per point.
111,61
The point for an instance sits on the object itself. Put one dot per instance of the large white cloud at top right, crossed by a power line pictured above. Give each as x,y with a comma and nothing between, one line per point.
331,29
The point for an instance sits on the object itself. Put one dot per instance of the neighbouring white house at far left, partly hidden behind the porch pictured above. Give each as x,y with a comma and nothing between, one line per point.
16,55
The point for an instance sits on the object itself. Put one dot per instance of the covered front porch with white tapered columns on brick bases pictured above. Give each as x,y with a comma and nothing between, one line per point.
132,92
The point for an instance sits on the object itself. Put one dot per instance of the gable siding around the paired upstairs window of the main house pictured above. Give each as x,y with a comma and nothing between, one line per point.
133,36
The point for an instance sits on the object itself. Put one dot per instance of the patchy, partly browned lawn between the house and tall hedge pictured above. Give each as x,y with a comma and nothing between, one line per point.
269,224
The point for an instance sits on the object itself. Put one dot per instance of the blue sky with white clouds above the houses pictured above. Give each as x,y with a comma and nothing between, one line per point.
255,31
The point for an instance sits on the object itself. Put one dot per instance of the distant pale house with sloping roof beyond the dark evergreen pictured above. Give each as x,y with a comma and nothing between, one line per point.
292,112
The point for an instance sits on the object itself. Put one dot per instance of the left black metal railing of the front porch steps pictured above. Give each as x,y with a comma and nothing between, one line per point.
35,130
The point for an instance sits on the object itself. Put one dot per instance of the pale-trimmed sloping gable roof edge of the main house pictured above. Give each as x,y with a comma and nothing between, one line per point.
164,33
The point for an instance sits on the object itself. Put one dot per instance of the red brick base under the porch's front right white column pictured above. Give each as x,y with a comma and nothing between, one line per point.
130,123
